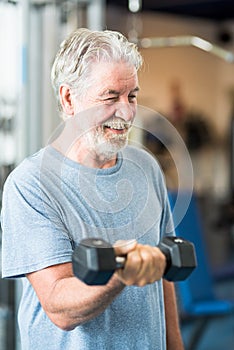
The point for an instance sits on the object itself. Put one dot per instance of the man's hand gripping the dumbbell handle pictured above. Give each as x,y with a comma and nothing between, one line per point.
144,264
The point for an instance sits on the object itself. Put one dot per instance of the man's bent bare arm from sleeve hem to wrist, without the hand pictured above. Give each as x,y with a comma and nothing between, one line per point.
67,301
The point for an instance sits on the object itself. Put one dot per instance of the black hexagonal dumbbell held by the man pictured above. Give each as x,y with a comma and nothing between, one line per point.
94,260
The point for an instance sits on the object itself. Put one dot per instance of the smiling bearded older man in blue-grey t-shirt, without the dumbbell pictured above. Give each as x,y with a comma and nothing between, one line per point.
89,183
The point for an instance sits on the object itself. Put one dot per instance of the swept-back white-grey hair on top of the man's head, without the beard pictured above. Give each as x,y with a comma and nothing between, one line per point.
81,49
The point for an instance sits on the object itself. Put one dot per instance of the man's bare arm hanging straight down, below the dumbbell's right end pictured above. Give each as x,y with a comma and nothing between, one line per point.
174,339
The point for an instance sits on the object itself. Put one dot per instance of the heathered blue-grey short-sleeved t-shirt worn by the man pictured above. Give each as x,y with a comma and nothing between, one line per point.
49,204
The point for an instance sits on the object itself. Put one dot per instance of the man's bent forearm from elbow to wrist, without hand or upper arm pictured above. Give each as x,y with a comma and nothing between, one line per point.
70,305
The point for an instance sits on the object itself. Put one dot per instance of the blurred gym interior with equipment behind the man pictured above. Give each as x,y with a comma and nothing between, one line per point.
188,77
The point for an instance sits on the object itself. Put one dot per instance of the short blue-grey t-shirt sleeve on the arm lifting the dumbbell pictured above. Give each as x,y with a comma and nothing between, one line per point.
33,234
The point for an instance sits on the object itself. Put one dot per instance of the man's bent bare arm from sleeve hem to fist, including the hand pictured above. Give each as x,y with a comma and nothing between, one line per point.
68,302
